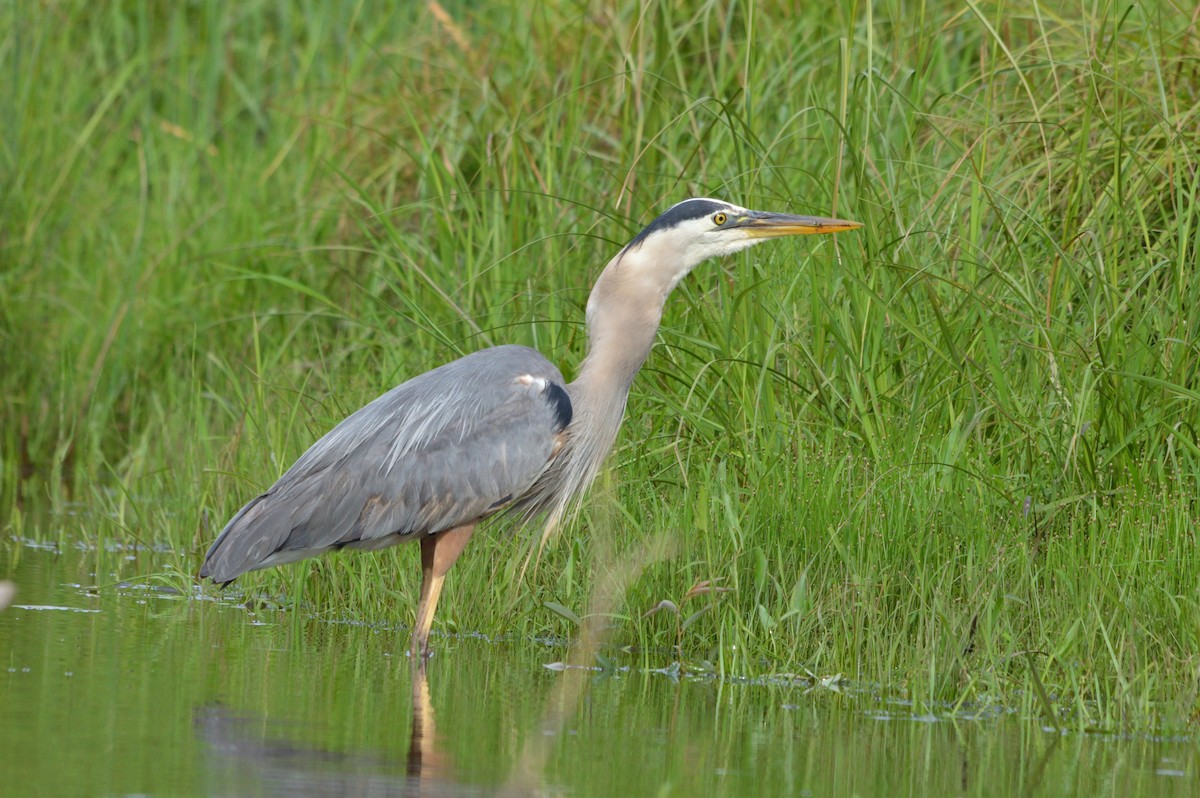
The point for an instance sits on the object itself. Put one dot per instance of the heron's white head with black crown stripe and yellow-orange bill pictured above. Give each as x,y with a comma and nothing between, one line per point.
697,230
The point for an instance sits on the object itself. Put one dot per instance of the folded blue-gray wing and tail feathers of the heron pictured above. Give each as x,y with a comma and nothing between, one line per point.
445,449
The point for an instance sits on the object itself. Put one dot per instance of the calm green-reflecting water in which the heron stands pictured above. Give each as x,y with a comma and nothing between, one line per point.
129,691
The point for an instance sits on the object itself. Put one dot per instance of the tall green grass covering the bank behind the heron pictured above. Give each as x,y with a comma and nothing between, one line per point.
956,453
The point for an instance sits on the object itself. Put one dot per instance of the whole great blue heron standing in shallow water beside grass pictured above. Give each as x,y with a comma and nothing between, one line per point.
496,430
